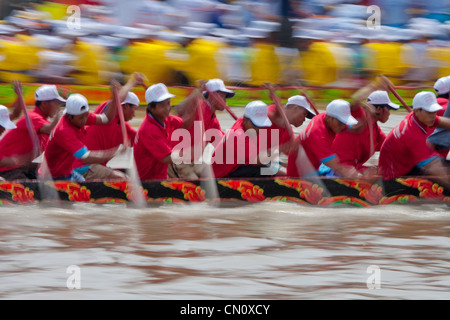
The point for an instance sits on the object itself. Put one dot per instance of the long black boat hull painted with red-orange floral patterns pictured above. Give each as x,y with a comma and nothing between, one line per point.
318,192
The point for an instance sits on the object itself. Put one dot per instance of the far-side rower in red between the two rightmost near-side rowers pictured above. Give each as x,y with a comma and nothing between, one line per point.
355,148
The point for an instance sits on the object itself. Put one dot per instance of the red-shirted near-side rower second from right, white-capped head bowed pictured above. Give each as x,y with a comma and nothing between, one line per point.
316,141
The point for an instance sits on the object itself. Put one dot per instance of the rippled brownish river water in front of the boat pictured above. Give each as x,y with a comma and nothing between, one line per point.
260,251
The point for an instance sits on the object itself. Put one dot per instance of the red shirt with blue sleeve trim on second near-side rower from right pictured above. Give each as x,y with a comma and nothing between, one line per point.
317,141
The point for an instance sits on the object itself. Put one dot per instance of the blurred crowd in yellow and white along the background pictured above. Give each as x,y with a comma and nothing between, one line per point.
243,42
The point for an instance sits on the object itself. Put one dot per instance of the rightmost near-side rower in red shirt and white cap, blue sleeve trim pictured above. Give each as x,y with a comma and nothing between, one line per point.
405,151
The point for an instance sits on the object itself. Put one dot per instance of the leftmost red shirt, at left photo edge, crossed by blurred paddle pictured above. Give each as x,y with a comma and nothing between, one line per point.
18,142
